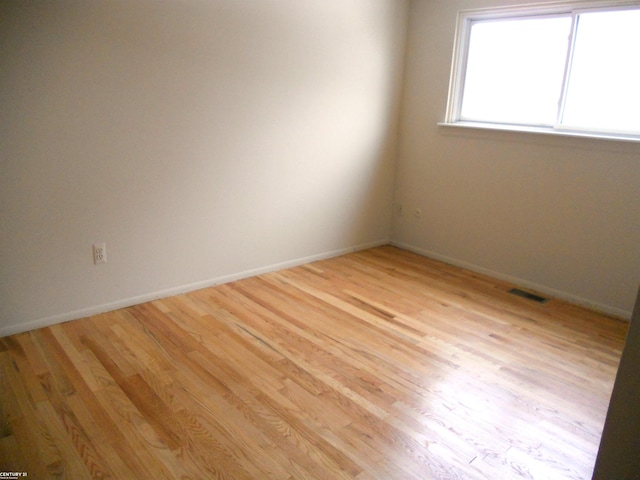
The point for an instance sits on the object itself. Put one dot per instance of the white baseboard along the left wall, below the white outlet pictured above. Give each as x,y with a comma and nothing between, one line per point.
148,297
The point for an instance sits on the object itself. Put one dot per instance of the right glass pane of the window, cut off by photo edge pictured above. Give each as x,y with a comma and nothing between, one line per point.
604,85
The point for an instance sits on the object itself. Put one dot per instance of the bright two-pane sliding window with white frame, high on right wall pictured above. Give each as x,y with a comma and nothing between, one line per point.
572,67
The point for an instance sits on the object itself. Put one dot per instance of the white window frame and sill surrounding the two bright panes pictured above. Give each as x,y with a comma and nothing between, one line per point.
572,8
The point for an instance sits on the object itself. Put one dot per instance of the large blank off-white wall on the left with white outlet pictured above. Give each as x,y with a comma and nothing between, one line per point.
201,140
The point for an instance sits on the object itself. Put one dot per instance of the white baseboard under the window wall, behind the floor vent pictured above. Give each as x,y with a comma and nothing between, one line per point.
607,309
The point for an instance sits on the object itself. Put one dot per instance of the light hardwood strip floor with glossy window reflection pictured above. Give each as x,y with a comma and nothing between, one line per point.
379,364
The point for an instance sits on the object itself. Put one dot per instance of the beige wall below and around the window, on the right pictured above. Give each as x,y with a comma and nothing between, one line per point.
558,214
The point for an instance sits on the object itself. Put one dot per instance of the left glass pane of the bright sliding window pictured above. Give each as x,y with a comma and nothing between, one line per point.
515,69
